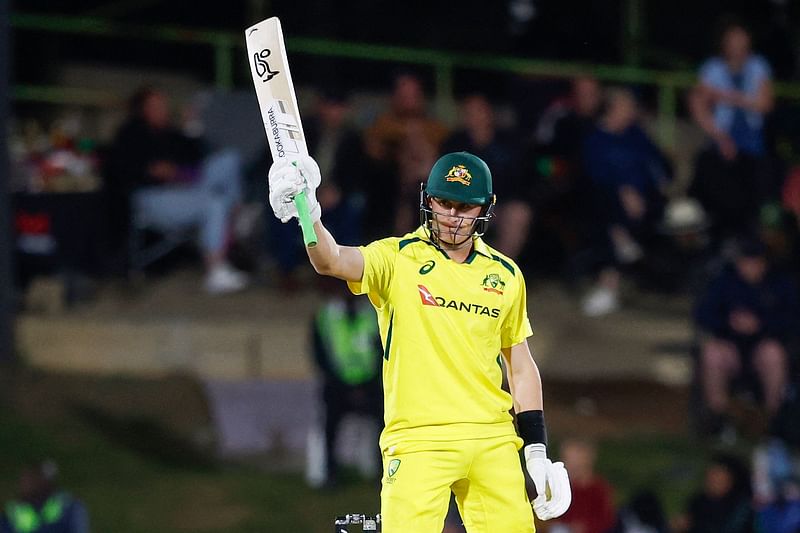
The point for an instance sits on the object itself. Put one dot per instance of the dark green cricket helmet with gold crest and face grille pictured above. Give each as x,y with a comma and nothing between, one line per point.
459,177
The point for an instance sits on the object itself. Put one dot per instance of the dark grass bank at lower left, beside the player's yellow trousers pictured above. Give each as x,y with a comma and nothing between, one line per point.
127,491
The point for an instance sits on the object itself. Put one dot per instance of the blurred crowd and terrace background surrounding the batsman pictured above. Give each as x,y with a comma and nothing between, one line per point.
171,363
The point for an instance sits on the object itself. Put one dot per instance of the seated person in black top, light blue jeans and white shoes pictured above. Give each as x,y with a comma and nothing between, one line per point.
171,183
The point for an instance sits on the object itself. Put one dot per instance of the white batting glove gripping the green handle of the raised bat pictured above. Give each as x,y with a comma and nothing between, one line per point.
287,179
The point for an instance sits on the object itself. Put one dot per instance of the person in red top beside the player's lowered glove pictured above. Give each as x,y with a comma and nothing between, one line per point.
592,508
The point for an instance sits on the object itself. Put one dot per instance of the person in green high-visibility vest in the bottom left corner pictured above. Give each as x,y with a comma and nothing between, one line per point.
41,506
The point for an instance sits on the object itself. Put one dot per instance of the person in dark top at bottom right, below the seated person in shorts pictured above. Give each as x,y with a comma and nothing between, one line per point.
723,504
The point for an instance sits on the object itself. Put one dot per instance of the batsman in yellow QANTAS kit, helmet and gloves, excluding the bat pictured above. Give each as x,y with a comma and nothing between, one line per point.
453,315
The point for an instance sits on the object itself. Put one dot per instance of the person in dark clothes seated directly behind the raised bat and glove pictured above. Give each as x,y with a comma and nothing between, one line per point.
337,147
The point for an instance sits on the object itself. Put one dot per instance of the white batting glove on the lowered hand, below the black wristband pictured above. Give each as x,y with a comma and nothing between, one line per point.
553,494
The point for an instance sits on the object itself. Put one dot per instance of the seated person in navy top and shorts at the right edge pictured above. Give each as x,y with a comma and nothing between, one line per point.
746,316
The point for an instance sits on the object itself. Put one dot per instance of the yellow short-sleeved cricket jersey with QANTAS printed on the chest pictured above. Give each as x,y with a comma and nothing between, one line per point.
442,325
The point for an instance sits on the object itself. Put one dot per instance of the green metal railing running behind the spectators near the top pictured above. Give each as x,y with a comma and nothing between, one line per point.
225,45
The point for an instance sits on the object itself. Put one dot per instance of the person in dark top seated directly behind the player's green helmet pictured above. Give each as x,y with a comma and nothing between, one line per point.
480,136
